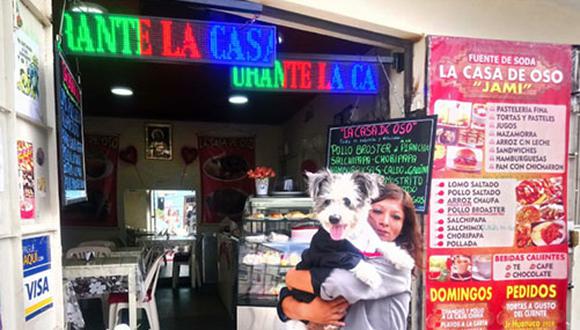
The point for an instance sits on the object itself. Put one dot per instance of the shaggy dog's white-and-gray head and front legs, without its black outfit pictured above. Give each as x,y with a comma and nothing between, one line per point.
342,203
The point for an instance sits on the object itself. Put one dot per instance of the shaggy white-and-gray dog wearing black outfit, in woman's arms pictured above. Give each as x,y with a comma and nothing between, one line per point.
342,203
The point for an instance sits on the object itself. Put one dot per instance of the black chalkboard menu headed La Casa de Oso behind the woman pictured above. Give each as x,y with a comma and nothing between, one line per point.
400,150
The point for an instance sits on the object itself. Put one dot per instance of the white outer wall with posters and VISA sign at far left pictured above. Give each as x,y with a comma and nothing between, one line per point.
27,25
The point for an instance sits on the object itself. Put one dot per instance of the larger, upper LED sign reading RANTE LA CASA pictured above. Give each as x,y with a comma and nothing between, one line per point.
169,39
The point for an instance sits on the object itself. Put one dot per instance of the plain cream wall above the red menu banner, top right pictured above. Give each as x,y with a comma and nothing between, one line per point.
555,21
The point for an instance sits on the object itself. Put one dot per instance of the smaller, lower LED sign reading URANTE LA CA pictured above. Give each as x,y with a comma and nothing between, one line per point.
309,76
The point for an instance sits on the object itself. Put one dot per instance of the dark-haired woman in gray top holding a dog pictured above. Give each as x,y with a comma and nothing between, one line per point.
348,302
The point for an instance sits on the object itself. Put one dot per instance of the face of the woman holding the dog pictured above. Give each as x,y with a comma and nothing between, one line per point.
387,218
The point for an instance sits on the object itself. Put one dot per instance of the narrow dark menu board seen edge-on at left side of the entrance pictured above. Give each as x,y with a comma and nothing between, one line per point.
70,136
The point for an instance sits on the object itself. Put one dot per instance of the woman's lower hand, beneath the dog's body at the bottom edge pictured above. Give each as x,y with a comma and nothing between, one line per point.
317,311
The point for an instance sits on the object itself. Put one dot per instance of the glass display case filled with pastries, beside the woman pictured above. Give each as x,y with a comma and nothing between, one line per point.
275,231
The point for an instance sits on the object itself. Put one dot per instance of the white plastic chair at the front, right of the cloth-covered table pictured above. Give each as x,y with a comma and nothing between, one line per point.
119,301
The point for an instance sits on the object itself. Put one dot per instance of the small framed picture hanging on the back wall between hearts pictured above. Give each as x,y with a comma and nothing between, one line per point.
158,142
